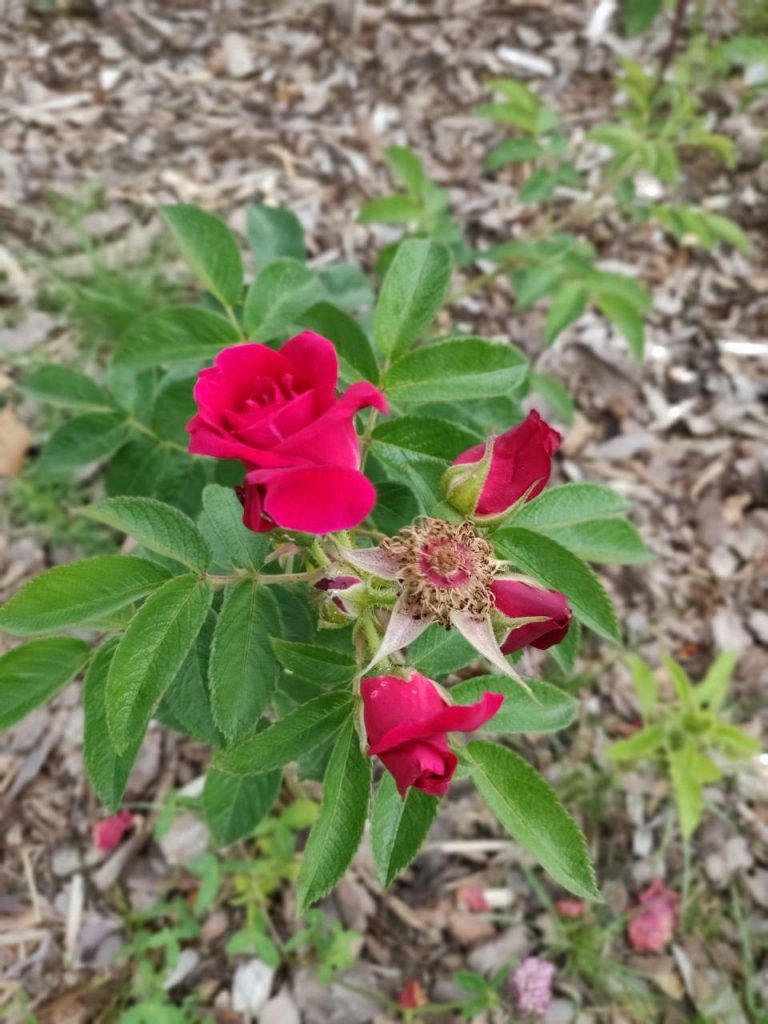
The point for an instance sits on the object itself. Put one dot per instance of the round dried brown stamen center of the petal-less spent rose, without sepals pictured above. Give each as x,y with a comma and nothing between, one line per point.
445,568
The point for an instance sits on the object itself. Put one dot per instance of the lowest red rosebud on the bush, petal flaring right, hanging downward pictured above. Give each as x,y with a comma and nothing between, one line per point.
407,720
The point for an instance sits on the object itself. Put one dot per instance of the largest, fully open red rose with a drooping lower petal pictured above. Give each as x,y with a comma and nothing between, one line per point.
278,412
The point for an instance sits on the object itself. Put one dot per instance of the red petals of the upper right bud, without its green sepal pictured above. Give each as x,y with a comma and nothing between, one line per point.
521,464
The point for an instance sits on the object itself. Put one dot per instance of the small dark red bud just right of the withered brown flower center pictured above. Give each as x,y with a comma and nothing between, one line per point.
516,600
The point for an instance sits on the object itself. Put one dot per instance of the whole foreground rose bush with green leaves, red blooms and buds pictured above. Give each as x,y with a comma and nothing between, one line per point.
217,624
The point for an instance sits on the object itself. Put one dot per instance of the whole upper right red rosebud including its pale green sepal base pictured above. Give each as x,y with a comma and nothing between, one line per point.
488,481
